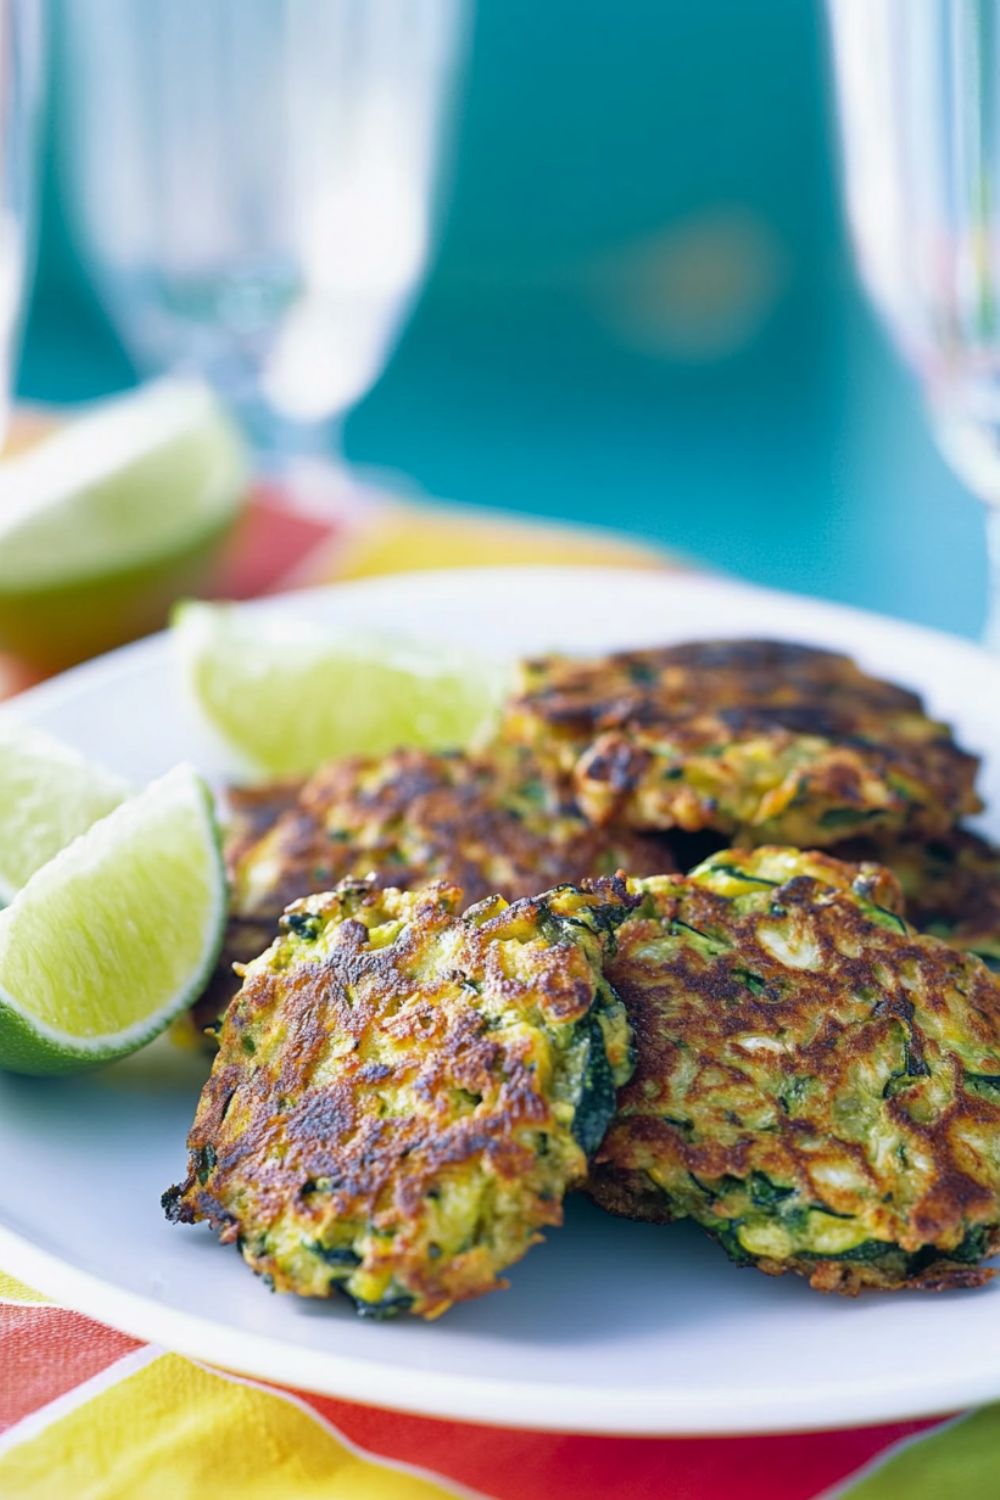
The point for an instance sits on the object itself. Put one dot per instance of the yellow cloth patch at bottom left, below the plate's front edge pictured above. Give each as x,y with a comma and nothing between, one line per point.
172,1430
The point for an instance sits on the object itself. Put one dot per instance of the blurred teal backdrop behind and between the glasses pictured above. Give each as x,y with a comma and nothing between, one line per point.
642,311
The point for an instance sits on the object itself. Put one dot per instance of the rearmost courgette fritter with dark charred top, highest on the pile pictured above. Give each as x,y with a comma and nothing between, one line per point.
762,742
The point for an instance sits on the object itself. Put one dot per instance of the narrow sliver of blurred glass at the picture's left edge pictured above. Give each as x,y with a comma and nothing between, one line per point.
20,107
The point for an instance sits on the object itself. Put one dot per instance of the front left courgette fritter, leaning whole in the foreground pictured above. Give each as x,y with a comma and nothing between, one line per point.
404,1094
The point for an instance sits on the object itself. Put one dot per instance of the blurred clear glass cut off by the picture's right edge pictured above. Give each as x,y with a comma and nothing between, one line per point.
918,88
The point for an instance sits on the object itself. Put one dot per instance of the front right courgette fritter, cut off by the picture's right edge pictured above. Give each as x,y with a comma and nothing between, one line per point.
818,1085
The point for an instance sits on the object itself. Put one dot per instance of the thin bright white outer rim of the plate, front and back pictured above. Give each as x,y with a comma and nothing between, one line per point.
534,1406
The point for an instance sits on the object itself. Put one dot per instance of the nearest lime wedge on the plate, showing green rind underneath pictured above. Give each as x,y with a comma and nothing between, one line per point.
116,935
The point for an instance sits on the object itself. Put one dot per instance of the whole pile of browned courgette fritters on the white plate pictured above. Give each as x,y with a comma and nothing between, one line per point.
404,1093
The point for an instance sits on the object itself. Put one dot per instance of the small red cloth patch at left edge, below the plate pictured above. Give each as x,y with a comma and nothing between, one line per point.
47,1352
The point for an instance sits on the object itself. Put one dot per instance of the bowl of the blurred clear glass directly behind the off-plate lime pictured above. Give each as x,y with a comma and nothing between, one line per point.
253,188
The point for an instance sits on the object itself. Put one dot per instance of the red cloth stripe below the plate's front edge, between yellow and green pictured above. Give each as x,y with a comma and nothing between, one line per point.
536,1466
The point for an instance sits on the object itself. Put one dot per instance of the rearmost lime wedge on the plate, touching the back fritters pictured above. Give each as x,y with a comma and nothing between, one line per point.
284,695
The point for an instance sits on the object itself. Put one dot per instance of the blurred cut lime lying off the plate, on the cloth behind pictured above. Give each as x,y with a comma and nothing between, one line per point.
107,520
